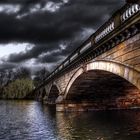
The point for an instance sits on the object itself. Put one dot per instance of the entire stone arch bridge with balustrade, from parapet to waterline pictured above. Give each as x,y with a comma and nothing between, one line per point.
104,72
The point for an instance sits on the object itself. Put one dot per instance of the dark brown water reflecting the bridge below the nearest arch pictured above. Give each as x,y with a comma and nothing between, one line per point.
109,125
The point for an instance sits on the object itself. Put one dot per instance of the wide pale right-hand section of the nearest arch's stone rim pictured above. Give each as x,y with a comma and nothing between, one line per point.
122,70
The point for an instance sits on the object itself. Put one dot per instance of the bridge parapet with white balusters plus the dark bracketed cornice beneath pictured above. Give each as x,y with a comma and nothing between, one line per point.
97,43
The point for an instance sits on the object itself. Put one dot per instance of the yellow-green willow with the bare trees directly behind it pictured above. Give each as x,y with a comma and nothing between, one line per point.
16,83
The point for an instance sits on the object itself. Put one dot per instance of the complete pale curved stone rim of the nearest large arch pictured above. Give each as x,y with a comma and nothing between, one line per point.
126,72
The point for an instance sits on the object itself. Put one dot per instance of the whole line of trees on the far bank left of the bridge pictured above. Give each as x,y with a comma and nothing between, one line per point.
20,83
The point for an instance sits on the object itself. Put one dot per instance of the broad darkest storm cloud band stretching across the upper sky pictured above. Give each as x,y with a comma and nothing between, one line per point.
60,25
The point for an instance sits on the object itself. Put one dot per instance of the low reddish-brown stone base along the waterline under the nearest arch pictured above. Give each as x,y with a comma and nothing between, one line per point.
94,106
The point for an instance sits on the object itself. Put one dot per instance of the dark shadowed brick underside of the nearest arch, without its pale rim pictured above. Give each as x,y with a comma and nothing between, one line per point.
103,90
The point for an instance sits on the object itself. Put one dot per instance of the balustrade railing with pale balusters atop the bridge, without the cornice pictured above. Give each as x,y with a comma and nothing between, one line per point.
119,18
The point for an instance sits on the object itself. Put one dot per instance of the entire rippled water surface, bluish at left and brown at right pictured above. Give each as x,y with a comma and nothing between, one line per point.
29,120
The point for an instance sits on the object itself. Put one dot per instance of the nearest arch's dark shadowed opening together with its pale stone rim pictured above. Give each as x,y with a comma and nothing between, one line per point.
105,83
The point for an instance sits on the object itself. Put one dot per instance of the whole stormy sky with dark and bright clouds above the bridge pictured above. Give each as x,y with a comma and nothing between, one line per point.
42,33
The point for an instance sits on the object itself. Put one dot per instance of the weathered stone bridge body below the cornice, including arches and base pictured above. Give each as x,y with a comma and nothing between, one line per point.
110,81
